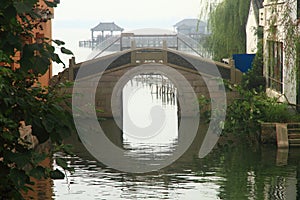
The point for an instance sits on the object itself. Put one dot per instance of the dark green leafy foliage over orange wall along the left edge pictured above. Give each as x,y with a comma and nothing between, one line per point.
23,99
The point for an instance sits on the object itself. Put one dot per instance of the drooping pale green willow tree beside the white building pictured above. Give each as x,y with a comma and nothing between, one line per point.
227,24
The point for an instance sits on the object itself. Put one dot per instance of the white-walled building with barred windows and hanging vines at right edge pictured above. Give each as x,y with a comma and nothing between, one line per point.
280,67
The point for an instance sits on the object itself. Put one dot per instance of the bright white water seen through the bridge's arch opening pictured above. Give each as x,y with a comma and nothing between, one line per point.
140,96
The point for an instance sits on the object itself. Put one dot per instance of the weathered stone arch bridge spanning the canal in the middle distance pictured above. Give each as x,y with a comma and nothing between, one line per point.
200,73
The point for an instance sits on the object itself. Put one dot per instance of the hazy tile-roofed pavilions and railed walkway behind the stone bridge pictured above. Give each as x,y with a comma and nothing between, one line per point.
190,33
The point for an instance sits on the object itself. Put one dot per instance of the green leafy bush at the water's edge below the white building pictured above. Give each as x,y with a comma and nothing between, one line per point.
246,113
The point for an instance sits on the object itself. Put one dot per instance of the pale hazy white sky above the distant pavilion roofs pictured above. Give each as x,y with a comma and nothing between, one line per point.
126,13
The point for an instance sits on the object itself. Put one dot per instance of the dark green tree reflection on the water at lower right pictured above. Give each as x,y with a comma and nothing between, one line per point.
252,174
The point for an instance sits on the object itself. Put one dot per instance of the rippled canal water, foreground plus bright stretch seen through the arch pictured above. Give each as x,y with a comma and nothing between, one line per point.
230,171
